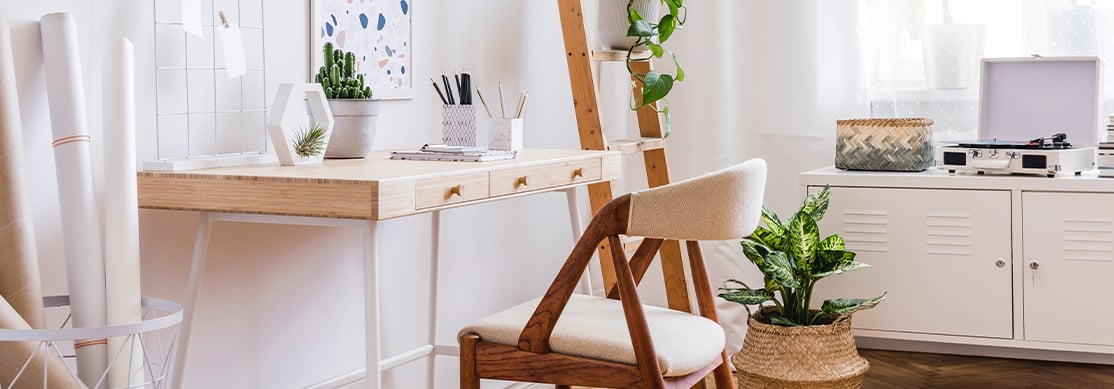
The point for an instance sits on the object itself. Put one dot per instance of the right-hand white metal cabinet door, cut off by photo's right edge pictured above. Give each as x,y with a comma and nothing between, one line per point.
1070,239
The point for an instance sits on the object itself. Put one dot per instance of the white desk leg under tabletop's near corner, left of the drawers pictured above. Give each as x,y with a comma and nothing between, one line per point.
372,304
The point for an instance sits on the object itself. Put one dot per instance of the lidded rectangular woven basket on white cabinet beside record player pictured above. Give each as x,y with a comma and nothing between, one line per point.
888,145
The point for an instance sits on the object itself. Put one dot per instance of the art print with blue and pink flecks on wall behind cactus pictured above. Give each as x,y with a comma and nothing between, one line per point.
378,32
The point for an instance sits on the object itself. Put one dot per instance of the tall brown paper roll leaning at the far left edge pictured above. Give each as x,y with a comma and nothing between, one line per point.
19,265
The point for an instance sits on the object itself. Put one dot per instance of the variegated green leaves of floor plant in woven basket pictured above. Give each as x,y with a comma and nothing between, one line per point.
793,258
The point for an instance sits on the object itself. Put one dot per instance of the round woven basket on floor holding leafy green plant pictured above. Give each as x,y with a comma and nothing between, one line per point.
799,357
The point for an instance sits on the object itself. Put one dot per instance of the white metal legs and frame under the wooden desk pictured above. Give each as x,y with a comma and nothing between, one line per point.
370,230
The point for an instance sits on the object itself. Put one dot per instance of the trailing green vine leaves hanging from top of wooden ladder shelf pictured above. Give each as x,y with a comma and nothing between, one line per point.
651,35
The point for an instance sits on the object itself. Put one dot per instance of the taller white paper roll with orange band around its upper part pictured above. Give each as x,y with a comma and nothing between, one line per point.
85,266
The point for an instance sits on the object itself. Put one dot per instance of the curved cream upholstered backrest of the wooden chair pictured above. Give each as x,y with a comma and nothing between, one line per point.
720,206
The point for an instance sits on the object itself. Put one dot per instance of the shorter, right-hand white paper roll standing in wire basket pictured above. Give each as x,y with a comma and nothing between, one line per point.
122,217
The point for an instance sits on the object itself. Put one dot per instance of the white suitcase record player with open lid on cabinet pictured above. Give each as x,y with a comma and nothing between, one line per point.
1029,99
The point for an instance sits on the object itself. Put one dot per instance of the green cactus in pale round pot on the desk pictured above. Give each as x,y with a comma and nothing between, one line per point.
355,111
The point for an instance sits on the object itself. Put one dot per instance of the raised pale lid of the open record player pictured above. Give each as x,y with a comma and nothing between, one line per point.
1025,99
